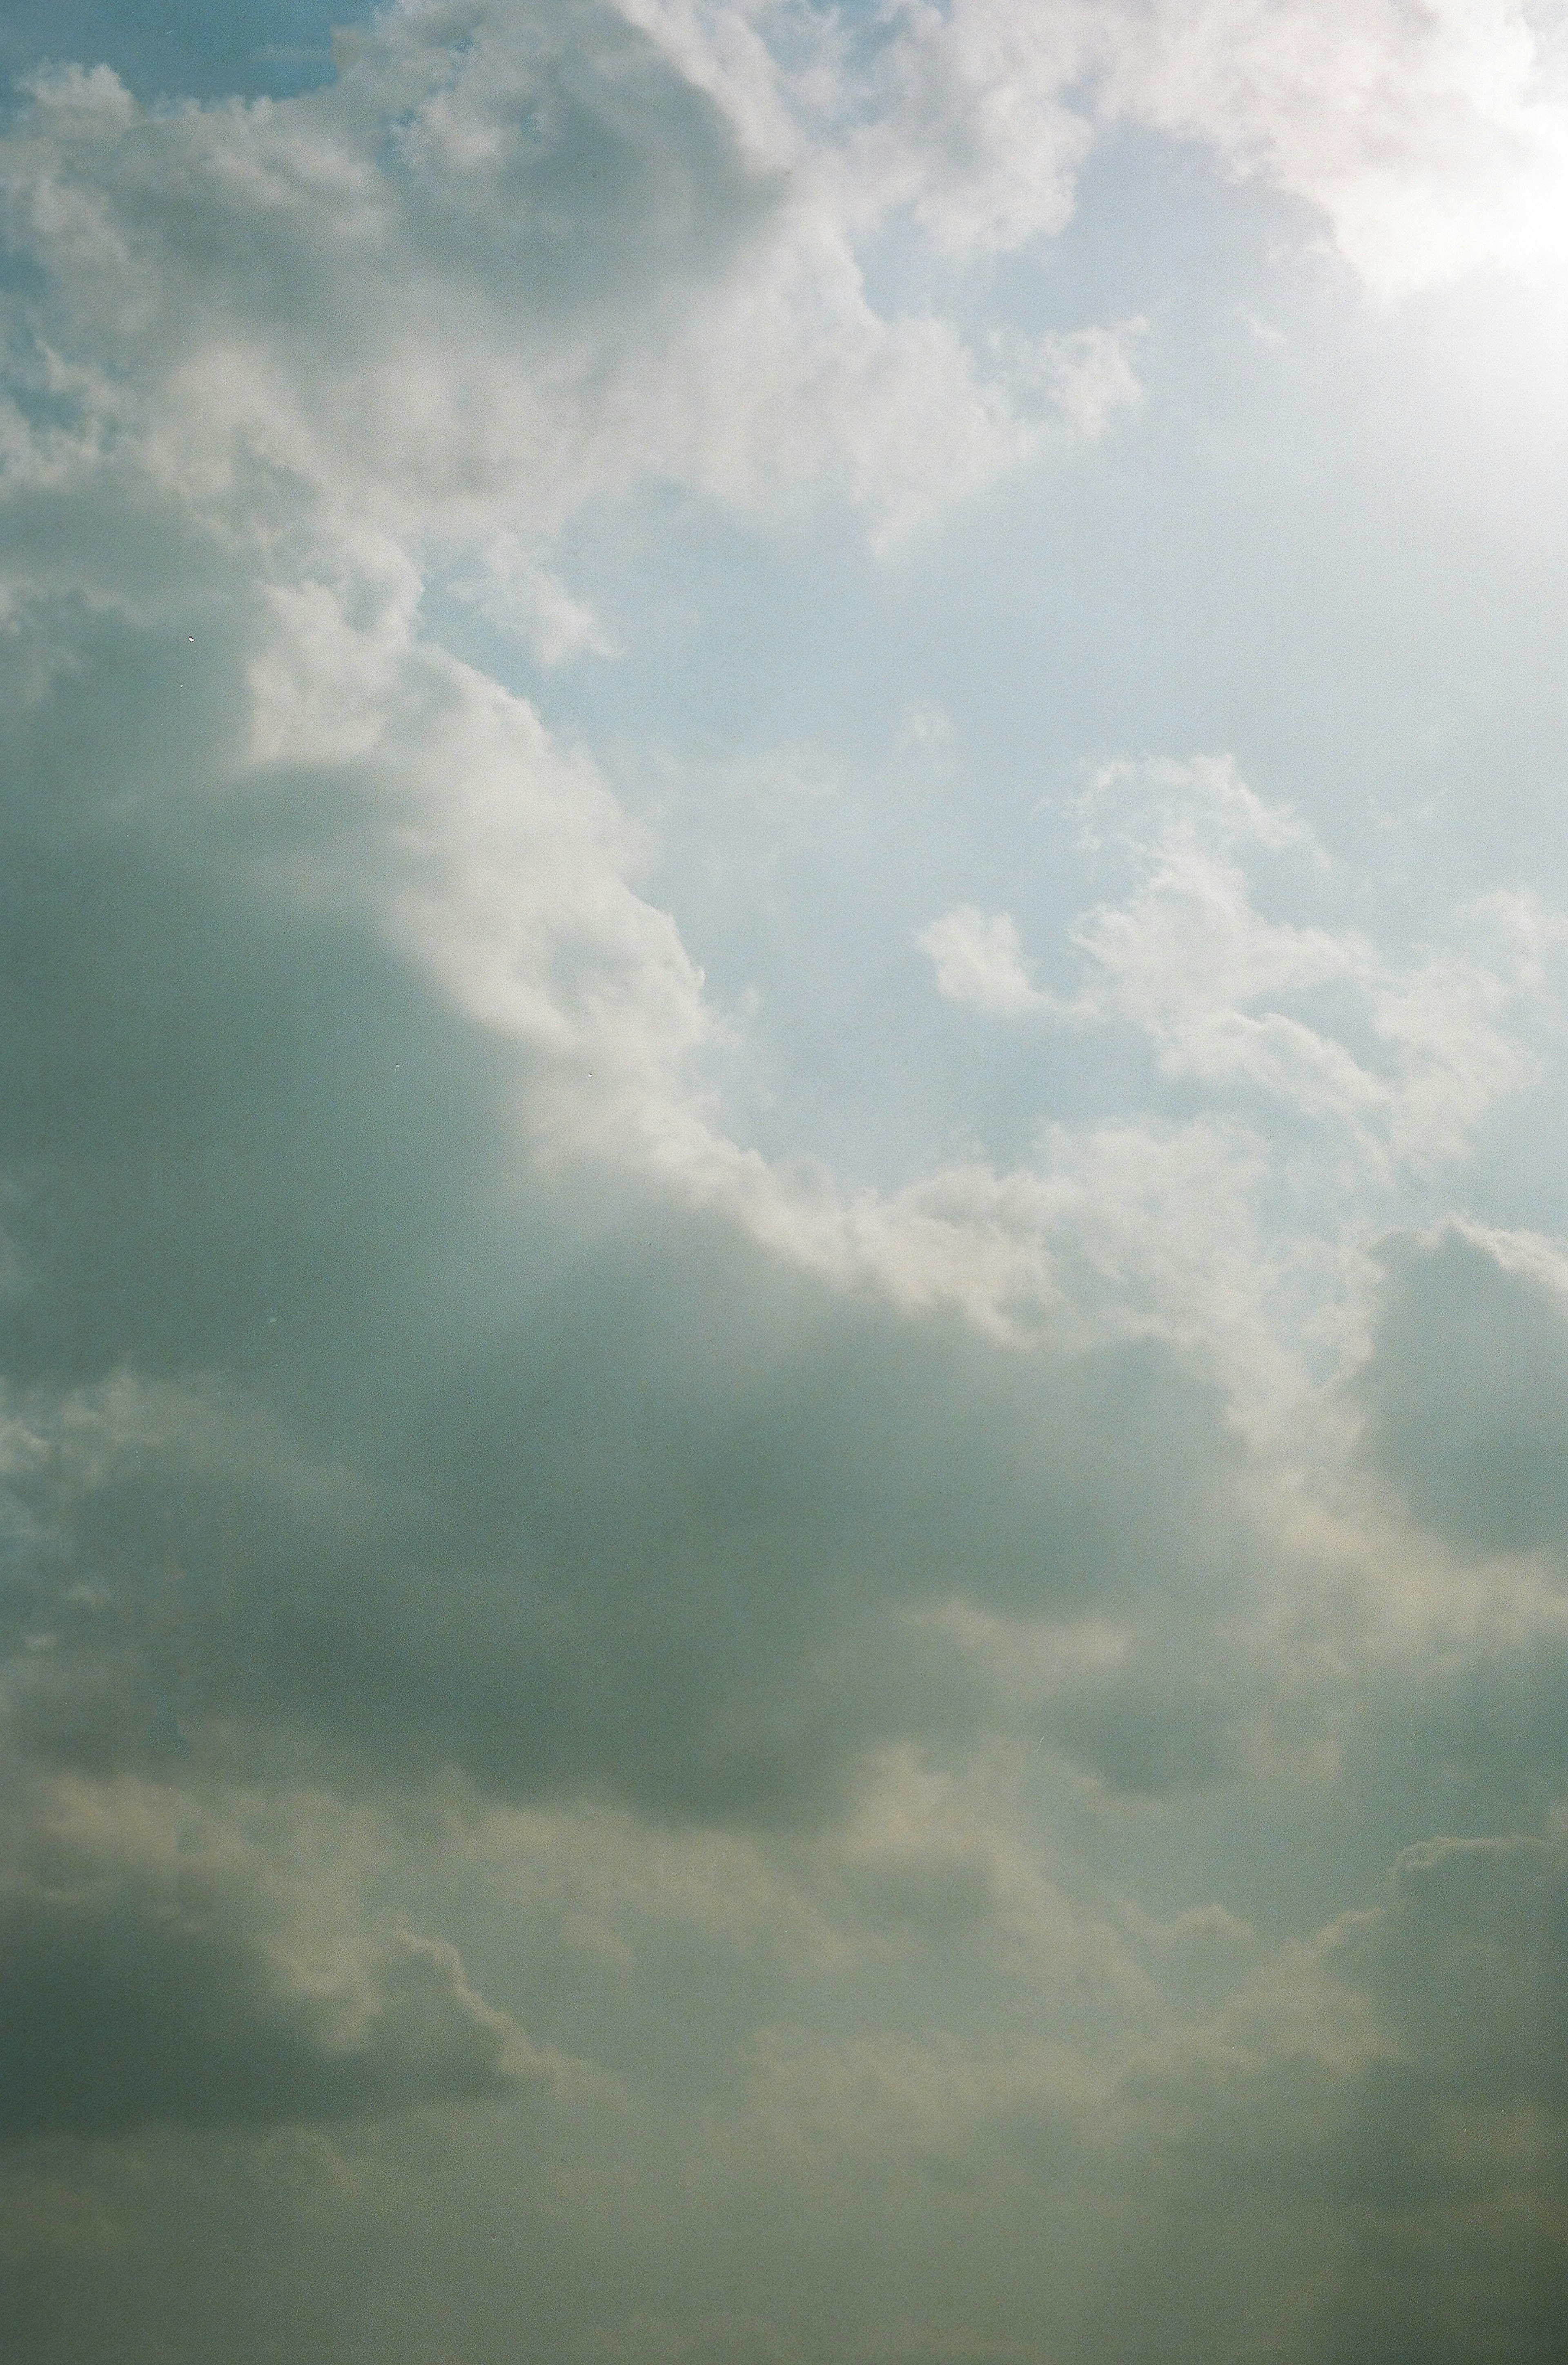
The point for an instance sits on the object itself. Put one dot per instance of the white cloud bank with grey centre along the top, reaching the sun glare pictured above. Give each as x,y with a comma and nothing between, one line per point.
510,264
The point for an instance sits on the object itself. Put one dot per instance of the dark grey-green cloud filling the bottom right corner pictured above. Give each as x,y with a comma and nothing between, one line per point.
1366,2156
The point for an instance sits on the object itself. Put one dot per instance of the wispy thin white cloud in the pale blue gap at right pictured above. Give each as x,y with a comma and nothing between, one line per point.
1411,1058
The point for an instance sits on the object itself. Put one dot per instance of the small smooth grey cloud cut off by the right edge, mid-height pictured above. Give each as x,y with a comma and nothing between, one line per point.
1467,1392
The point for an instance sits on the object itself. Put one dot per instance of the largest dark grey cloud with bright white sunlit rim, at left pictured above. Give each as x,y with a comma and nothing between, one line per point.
382,1259
